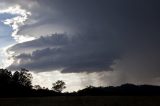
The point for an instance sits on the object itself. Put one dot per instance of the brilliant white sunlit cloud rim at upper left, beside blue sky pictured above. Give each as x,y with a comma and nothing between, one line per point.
16,22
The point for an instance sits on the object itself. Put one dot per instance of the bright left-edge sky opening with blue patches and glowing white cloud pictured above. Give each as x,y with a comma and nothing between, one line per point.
11,19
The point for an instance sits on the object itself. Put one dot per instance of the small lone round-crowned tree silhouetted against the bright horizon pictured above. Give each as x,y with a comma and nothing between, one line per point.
59,86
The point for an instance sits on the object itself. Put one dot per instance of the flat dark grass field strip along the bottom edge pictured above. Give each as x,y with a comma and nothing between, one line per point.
83,101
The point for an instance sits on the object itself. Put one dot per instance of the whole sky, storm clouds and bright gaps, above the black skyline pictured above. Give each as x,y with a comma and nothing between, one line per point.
94,42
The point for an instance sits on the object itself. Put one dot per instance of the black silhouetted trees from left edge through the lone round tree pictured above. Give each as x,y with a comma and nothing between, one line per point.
19,83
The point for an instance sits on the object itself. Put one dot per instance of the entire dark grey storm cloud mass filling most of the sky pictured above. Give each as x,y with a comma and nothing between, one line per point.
92,36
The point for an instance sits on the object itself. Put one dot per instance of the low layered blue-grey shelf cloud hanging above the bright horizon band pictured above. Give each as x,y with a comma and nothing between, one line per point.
76,54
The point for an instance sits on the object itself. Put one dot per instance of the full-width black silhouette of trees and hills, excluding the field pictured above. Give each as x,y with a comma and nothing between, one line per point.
19,83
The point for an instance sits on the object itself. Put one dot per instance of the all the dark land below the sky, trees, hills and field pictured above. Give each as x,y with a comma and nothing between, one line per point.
16,89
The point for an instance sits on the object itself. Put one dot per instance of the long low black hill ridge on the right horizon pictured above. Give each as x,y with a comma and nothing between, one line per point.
124,90
